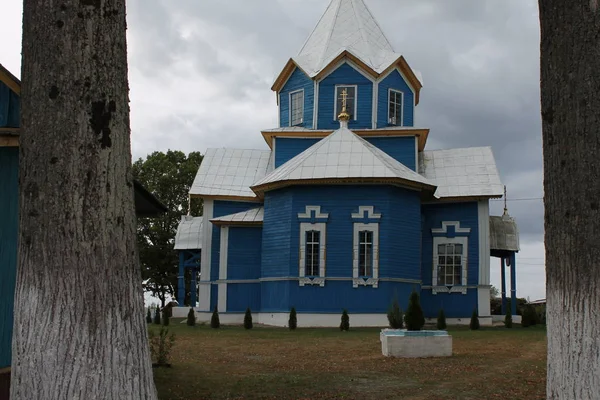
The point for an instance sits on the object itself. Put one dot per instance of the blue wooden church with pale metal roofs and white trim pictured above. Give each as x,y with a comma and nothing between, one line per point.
346,210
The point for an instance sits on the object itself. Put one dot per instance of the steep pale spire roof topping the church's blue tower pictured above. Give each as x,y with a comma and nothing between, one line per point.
346,25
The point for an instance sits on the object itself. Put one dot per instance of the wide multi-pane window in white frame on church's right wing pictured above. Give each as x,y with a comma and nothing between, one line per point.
447,261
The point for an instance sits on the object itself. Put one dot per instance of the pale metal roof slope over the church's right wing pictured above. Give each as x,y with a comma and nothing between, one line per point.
467,172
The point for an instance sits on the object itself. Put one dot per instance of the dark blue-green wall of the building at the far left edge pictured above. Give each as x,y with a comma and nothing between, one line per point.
9,214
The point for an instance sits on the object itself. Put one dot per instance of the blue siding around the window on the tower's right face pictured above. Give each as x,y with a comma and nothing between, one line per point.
394,81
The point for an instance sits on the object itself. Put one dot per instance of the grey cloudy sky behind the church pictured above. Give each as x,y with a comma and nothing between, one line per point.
201,72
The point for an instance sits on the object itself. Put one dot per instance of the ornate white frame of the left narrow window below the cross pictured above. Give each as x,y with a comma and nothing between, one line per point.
321,227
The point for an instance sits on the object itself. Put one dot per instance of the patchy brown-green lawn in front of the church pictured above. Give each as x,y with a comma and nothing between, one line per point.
275,363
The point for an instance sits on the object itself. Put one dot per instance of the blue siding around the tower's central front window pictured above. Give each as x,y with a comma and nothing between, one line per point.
345,75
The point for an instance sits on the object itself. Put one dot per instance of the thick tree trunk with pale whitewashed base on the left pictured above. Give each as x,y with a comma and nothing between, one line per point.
79,328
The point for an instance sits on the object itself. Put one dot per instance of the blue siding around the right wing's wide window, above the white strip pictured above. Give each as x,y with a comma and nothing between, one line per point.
466,214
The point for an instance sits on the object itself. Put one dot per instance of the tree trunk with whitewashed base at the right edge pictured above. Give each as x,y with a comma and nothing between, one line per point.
570,91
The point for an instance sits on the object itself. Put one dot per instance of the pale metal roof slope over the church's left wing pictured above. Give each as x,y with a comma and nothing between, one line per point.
230,172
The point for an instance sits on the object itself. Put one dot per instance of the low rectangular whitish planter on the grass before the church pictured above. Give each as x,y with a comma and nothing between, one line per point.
415,344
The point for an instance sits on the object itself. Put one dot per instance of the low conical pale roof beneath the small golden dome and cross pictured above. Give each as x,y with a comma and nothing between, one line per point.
342,154
